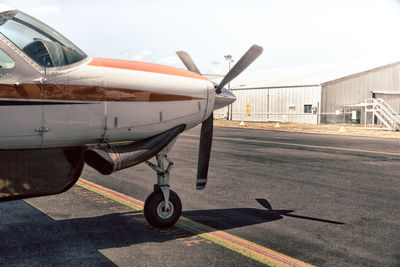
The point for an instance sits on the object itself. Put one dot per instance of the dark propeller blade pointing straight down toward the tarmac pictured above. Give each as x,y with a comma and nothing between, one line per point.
204,152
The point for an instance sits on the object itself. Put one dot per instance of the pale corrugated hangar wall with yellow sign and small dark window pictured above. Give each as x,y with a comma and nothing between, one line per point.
275,104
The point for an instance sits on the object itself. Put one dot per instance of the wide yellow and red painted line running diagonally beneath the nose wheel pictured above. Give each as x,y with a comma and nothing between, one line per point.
234,243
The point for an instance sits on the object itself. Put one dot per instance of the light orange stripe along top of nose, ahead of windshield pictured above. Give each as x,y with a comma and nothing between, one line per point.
143,66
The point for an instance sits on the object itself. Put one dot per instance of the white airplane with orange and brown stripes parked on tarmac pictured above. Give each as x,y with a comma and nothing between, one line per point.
61,109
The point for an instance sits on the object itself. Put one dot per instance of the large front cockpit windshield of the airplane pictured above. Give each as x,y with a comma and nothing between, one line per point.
44,45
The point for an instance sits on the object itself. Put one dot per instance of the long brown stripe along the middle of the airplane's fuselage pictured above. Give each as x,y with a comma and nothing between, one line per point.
85,93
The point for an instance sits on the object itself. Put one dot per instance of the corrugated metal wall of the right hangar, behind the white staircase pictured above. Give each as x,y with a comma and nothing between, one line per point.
355,89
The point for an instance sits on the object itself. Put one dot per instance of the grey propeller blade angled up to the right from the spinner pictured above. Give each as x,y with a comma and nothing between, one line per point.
248,58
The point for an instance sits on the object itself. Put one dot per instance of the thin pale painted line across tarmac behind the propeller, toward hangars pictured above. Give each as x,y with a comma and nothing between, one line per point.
299,145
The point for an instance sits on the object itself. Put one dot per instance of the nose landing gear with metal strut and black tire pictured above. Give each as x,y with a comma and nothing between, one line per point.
163,207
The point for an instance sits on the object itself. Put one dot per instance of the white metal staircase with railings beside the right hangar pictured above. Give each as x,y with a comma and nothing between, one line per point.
385,113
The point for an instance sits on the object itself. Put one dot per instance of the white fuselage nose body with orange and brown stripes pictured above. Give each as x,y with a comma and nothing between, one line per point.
99,101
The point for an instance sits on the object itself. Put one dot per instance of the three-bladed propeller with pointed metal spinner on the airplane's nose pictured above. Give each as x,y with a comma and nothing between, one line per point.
207,125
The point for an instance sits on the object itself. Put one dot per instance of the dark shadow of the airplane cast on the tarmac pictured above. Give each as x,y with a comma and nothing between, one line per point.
26,233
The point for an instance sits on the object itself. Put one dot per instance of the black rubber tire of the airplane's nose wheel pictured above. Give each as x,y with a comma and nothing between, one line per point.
155,213
